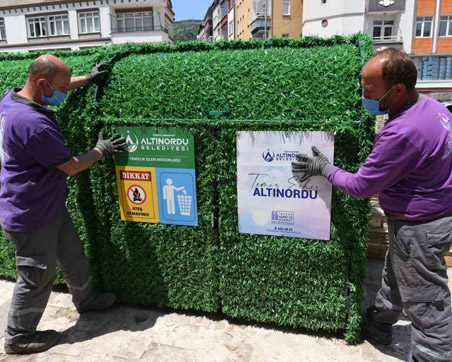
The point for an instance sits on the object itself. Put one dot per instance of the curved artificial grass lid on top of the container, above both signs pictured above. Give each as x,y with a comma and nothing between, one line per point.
275,83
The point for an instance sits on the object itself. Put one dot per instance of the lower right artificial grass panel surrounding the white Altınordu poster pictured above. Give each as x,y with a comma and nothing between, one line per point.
297,282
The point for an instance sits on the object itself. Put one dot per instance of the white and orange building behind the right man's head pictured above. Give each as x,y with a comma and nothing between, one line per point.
422,28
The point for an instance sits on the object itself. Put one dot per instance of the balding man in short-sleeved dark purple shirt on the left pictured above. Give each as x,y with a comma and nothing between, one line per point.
33,214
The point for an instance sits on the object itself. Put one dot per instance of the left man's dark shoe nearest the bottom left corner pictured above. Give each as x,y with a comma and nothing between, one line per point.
35,343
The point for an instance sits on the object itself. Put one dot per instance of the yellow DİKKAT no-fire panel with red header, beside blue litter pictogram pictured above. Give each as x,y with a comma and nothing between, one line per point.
137,193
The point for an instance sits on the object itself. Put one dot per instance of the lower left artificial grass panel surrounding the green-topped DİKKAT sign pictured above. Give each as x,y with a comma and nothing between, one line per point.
156,264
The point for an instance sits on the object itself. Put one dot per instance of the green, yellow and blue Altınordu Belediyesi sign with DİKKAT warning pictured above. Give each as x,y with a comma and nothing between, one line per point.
156,177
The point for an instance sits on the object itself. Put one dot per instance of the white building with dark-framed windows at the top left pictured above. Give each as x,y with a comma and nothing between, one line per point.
27,25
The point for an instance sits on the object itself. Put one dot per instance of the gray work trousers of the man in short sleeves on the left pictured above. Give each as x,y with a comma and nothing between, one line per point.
37,254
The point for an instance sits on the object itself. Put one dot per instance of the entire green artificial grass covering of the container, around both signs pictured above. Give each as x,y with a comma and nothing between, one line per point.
309,84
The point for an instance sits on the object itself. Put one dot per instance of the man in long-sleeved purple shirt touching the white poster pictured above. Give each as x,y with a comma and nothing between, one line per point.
410,168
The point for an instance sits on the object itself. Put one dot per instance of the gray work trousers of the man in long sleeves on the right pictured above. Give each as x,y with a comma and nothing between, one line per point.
415,279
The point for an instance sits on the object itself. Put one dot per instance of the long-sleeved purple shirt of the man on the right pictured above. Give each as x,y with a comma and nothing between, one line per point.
410,165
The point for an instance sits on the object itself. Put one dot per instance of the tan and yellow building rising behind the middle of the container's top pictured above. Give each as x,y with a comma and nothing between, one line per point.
256,19
